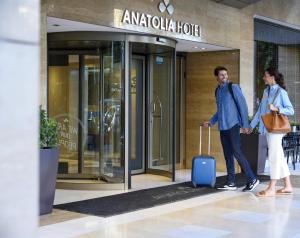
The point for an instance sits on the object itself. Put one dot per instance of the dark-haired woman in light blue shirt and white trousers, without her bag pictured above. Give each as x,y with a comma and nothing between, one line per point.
276,93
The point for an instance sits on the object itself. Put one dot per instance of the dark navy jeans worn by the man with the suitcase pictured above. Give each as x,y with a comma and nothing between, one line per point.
231,142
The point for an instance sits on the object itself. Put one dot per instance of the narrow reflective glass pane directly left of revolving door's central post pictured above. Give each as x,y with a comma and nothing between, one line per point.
112,162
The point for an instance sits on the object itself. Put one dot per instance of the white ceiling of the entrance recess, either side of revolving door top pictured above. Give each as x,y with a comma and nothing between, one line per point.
63,25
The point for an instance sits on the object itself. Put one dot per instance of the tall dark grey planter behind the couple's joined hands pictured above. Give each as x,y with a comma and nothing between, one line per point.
255,147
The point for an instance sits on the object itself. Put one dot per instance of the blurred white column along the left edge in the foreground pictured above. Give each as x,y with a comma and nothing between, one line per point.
19,91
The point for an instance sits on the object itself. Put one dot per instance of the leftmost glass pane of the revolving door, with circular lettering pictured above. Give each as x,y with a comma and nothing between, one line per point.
63,106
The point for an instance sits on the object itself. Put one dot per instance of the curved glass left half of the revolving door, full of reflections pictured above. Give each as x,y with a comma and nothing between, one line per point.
85,95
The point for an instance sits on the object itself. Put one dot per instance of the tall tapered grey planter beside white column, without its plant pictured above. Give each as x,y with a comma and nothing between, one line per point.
48,172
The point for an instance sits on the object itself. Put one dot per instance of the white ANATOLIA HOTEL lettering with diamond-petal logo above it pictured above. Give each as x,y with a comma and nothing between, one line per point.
141,21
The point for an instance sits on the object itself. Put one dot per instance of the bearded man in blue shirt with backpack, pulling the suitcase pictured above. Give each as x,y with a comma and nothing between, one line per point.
231,115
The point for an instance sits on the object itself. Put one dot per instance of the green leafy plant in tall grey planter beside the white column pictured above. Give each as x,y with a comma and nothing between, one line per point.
49,155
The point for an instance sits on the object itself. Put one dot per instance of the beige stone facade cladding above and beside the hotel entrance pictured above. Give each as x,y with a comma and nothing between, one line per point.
221,25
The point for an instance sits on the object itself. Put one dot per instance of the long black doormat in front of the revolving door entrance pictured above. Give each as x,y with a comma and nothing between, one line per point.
146,198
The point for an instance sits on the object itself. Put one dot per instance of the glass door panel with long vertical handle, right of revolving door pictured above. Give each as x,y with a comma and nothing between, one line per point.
160,113
